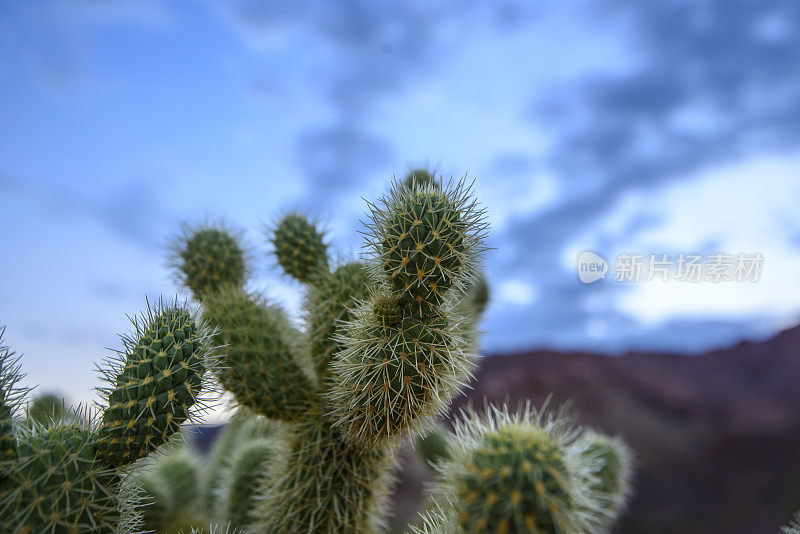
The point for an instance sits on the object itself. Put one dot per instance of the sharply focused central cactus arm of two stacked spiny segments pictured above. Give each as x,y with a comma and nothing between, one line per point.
407,350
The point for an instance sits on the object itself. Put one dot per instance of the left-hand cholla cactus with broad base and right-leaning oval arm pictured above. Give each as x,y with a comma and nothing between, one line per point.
69,475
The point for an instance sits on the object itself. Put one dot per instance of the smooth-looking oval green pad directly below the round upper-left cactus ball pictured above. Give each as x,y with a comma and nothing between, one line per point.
259,365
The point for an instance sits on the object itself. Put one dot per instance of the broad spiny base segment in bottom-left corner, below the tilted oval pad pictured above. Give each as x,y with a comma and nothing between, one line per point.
60,486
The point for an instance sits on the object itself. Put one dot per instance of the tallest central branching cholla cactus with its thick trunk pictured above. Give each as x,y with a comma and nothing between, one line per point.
385,348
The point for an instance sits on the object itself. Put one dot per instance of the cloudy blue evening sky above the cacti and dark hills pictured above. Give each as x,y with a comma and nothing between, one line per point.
617,127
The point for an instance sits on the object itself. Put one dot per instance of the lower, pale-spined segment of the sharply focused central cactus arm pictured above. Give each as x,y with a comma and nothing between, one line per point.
393,377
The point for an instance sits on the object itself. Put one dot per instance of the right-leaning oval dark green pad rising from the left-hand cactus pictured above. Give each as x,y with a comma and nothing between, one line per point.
155,382
